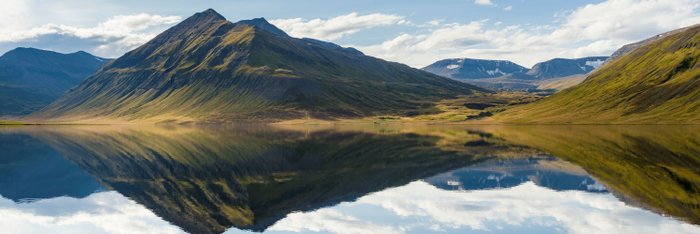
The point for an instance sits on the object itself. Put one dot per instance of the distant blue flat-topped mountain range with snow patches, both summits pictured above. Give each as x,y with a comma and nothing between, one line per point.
499,74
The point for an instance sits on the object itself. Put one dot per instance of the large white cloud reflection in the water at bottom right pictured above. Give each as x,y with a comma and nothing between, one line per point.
420,208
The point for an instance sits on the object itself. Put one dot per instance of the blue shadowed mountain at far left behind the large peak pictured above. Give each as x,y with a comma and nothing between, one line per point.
31,78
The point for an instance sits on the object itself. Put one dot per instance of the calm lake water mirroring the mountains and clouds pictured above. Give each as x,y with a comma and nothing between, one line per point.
350,179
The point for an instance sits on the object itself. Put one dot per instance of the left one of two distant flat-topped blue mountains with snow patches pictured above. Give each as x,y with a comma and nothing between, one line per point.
466,68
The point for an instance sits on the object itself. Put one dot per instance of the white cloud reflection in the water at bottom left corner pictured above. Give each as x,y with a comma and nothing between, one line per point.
104,212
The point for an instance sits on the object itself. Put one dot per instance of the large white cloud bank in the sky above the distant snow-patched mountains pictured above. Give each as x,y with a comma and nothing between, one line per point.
593,29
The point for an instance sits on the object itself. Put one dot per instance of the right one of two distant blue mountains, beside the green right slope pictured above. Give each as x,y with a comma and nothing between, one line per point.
560,67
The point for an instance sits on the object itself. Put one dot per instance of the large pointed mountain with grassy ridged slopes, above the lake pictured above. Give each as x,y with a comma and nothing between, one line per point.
209,69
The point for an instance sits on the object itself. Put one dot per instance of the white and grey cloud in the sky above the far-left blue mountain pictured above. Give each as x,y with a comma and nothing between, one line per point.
110,38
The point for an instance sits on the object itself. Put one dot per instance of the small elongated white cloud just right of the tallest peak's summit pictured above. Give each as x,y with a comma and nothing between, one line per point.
337,27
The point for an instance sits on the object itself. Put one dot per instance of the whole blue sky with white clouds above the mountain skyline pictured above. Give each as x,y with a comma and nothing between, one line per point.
414,32
